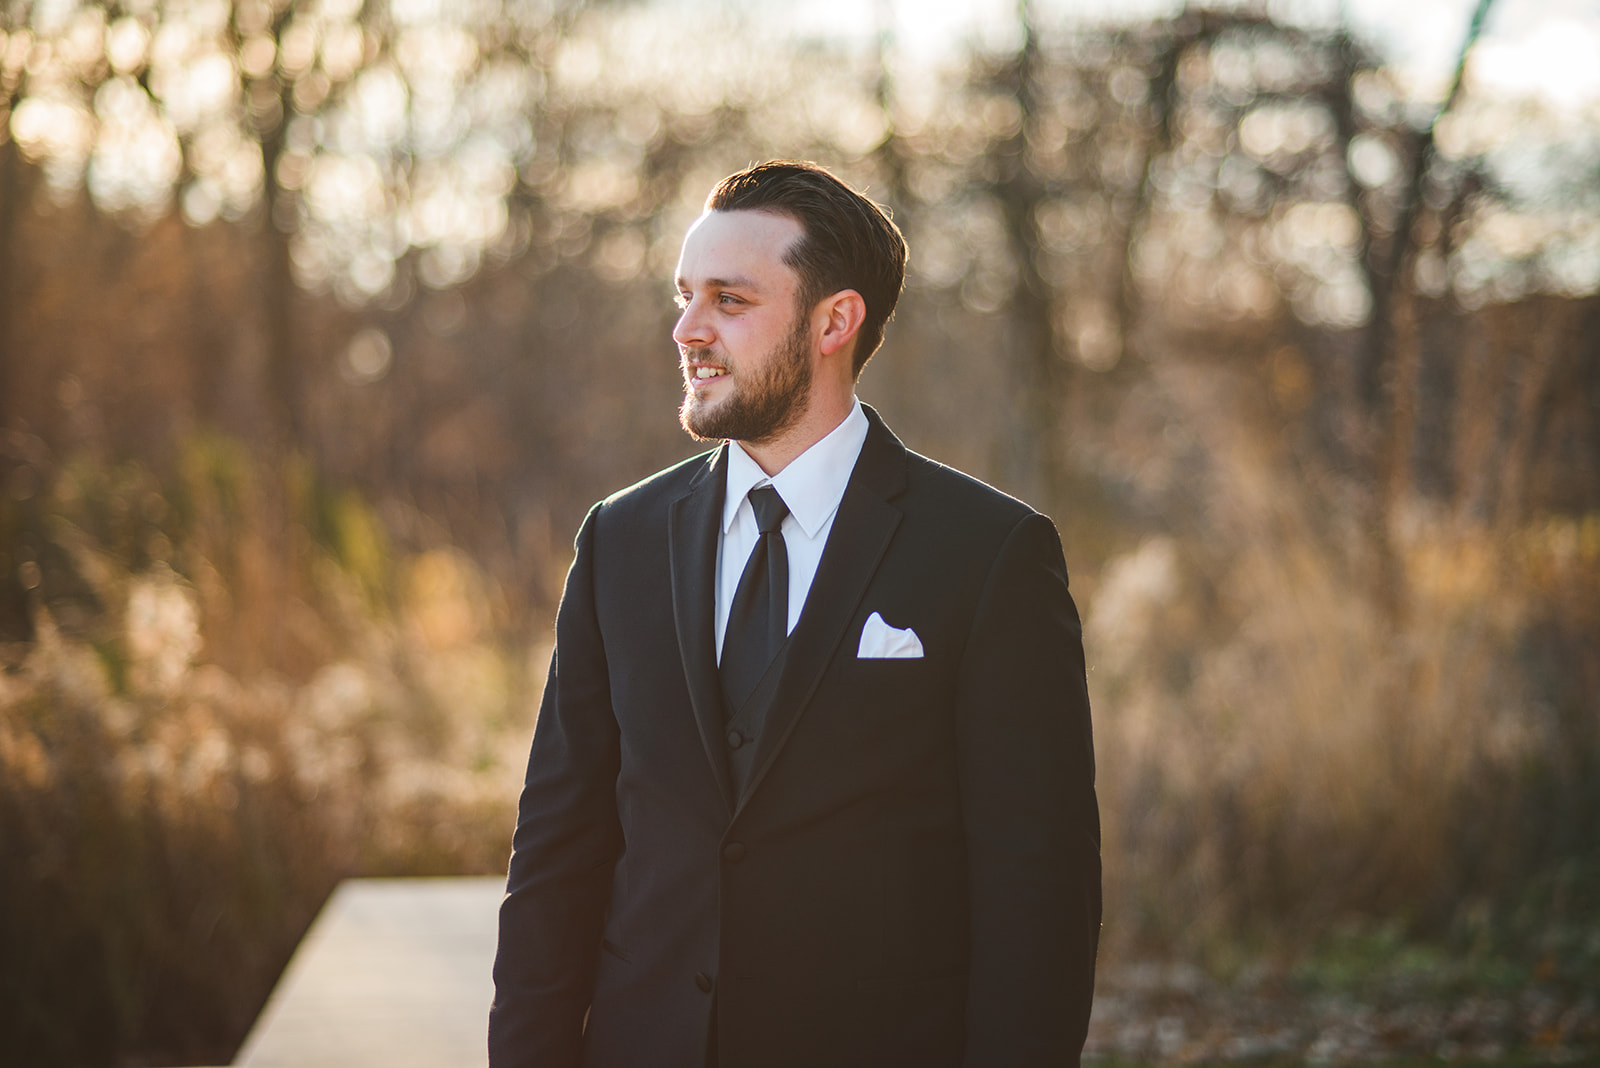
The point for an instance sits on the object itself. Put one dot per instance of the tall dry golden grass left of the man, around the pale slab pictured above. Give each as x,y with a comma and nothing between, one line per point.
238,693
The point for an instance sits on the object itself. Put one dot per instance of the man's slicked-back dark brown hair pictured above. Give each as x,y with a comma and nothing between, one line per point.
847,241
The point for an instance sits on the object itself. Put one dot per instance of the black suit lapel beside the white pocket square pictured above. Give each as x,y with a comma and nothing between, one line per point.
862,535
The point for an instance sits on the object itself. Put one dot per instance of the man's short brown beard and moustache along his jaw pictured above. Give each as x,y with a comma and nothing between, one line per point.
764,404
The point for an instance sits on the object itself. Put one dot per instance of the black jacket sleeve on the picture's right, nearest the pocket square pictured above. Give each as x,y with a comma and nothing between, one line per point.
1028,799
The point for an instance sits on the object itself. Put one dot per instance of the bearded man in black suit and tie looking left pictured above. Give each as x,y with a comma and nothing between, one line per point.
814,779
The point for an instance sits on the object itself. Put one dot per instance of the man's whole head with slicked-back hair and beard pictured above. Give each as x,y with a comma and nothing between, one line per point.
785,285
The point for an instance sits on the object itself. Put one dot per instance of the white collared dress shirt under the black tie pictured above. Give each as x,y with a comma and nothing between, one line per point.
812,487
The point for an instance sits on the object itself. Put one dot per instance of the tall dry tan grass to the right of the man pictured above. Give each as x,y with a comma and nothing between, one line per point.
1284,760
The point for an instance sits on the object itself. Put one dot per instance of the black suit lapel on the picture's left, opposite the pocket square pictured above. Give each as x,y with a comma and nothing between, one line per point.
694,525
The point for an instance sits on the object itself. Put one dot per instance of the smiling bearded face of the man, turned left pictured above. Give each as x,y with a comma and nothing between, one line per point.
745,345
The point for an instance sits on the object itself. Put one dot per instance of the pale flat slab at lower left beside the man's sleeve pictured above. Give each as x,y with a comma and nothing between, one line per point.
393,974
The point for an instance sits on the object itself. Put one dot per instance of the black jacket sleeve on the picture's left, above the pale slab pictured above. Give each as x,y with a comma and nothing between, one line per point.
566,847
